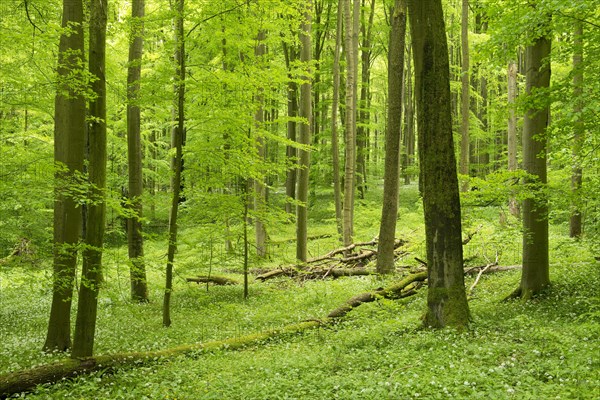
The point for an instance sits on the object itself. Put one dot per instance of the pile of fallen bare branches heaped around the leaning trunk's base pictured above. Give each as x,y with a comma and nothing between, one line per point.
345,261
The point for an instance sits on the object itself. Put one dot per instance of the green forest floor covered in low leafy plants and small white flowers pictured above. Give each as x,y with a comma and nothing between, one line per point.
546,348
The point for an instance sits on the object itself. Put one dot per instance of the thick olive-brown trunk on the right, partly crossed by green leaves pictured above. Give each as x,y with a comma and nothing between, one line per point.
535,275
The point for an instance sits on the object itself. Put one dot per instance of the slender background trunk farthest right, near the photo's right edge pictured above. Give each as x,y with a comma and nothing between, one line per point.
575,223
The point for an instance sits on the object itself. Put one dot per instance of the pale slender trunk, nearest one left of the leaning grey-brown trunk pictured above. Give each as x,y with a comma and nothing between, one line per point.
351,18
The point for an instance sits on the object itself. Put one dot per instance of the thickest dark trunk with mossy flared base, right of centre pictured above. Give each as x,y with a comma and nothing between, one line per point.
446,300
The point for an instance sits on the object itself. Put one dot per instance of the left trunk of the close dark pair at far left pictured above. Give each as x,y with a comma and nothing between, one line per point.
69,127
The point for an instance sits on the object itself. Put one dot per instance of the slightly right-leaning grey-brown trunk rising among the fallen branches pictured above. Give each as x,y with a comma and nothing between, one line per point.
389,213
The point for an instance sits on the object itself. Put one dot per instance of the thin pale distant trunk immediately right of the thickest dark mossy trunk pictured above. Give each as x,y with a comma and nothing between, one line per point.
464,94
